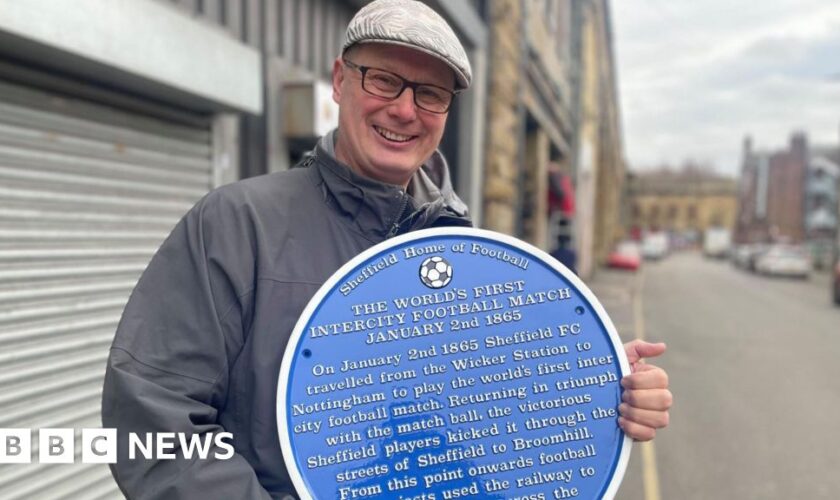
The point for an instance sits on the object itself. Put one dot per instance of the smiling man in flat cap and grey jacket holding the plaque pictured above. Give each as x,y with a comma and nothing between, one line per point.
199,346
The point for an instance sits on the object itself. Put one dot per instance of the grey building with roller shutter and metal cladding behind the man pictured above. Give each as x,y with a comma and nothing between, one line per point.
115,117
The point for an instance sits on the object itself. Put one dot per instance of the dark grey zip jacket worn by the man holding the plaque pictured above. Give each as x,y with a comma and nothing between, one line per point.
199,346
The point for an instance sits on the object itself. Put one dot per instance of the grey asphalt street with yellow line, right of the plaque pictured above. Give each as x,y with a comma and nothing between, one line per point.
753,368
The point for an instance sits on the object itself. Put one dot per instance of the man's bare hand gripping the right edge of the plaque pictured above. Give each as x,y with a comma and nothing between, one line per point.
646,397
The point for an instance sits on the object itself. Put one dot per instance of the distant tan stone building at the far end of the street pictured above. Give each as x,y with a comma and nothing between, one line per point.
680,202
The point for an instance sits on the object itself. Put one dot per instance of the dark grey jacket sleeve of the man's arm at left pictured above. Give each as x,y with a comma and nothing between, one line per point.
169,363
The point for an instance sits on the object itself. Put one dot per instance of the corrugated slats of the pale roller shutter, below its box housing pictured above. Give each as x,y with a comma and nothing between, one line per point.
87,194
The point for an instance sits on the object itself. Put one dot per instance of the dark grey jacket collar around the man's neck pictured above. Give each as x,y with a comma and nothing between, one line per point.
382,210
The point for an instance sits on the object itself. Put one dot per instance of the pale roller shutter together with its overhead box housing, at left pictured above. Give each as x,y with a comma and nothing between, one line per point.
108,134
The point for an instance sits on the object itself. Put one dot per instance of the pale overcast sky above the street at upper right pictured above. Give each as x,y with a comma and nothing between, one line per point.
695,76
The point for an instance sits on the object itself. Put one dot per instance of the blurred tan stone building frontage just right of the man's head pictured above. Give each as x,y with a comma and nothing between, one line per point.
553,111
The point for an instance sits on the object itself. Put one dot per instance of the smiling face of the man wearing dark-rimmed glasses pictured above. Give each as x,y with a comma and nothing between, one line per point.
387,140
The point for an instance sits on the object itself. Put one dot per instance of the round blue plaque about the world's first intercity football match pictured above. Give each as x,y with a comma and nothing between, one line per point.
453,364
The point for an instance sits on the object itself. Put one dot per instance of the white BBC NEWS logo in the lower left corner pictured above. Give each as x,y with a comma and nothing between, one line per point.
99,446
